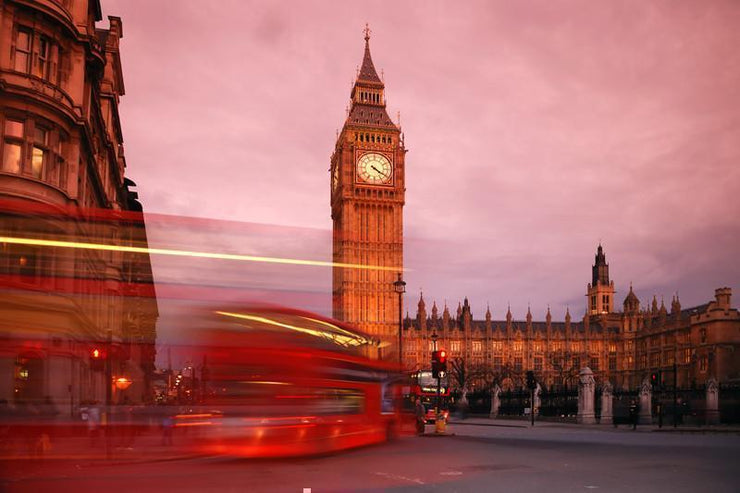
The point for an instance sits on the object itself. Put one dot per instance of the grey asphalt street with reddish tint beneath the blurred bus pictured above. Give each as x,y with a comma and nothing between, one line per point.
473,457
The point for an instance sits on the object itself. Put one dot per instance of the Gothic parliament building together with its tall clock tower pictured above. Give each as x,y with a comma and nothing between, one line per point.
368,185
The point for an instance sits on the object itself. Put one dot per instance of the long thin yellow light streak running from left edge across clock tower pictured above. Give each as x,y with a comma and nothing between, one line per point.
187,253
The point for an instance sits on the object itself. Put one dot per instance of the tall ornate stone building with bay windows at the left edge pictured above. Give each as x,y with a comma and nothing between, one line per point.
62,179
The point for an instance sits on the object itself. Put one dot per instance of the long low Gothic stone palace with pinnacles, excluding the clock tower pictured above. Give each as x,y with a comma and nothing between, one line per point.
622,347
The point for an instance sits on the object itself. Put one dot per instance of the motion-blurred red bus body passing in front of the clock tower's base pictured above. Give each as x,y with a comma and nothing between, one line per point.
281,382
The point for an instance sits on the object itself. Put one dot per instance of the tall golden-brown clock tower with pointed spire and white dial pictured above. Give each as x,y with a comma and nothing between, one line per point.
367,198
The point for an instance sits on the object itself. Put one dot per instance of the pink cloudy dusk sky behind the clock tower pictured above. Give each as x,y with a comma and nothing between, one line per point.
534,129
